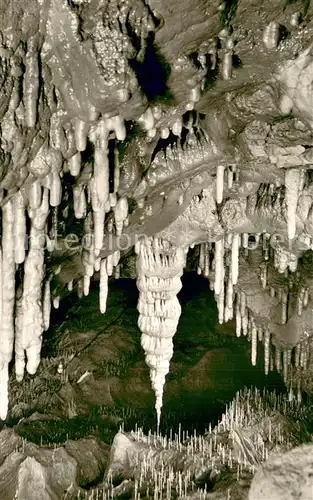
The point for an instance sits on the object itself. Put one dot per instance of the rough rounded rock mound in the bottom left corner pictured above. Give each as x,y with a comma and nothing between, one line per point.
34,472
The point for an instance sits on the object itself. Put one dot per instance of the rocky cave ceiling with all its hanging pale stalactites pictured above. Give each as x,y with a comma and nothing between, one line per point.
227,172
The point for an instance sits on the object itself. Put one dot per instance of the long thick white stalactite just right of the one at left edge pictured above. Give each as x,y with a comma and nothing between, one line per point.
29,322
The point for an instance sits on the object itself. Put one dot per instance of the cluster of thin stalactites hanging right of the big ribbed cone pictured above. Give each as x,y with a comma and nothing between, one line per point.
219,262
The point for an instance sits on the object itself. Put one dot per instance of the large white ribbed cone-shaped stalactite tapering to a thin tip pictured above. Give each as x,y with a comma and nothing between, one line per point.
159,268
